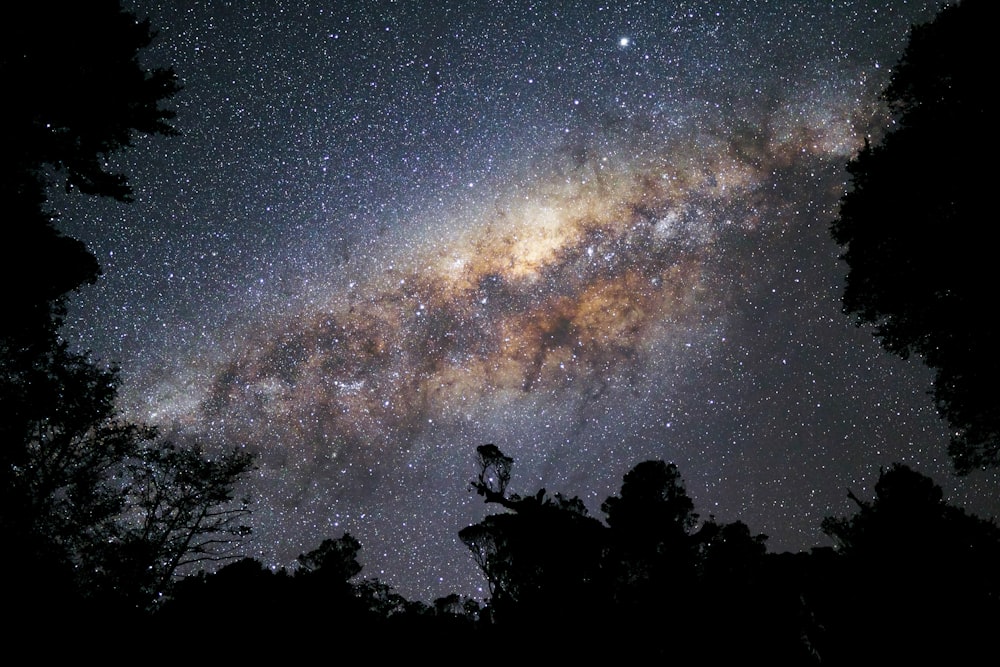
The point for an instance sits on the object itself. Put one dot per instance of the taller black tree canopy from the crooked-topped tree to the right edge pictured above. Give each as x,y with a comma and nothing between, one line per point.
909,577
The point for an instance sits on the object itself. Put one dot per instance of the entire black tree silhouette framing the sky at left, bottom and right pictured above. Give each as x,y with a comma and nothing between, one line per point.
116,538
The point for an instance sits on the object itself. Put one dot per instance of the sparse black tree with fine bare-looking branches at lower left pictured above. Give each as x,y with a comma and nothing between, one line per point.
114,507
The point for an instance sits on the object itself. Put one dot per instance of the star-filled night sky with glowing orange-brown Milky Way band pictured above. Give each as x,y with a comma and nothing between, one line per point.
592,233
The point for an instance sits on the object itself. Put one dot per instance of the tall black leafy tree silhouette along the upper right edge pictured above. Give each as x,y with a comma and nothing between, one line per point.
912,225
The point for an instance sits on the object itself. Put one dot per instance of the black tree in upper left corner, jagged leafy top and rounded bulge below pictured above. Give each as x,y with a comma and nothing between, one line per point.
76,95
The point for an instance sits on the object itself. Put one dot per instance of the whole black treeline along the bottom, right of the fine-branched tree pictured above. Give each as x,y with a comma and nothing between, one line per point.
909,577
